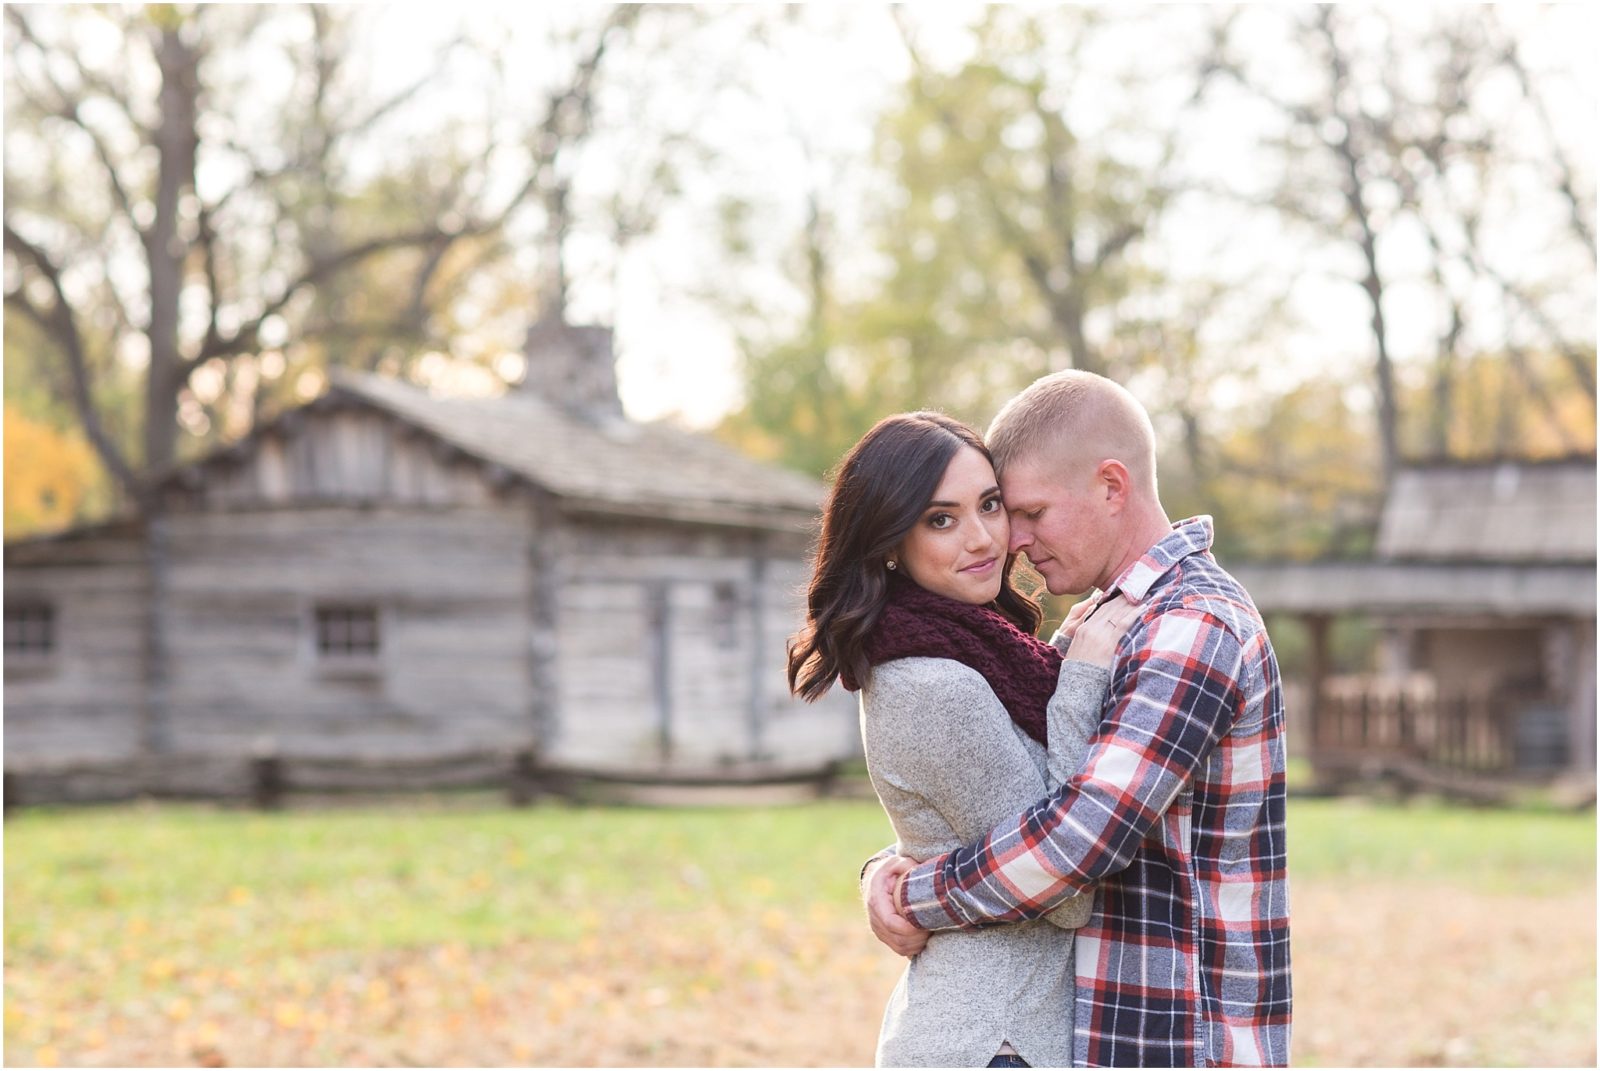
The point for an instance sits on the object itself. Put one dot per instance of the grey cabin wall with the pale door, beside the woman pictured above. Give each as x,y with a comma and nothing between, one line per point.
671,651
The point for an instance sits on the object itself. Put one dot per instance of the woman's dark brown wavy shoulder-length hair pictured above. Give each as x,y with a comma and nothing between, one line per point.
881,491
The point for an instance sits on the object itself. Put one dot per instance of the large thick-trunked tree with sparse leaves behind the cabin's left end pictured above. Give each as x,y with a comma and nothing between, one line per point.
166,207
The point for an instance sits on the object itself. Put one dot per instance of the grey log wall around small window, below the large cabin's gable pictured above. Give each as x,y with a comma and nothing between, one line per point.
450,592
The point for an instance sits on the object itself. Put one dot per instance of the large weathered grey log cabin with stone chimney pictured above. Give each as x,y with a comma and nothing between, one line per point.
388,574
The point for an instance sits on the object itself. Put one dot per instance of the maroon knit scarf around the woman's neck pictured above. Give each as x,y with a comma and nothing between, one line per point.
1018,667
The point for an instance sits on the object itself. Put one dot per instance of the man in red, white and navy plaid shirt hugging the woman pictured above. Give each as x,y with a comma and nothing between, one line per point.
1177,817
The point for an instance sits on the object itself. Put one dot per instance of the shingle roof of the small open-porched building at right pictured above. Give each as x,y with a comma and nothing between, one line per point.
1506,511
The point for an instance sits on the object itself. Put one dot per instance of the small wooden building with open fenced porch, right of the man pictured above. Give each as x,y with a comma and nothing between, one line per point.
1482,596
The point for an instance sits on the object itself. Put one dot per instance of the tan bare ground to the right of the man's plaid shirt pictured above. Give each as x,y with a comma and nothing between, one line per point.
1444,979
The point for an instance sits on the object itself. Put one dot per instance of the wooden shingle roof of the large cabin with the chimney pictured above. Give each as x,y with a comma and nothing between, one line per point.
614,467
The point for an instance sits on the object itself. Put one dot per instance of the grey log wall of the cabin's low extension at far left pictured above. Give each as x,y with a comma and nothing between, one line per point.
82,702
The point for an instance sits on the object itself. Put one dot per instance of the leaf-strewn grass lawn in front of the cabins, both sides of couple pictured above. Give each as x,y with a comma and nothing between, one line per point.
460,933
